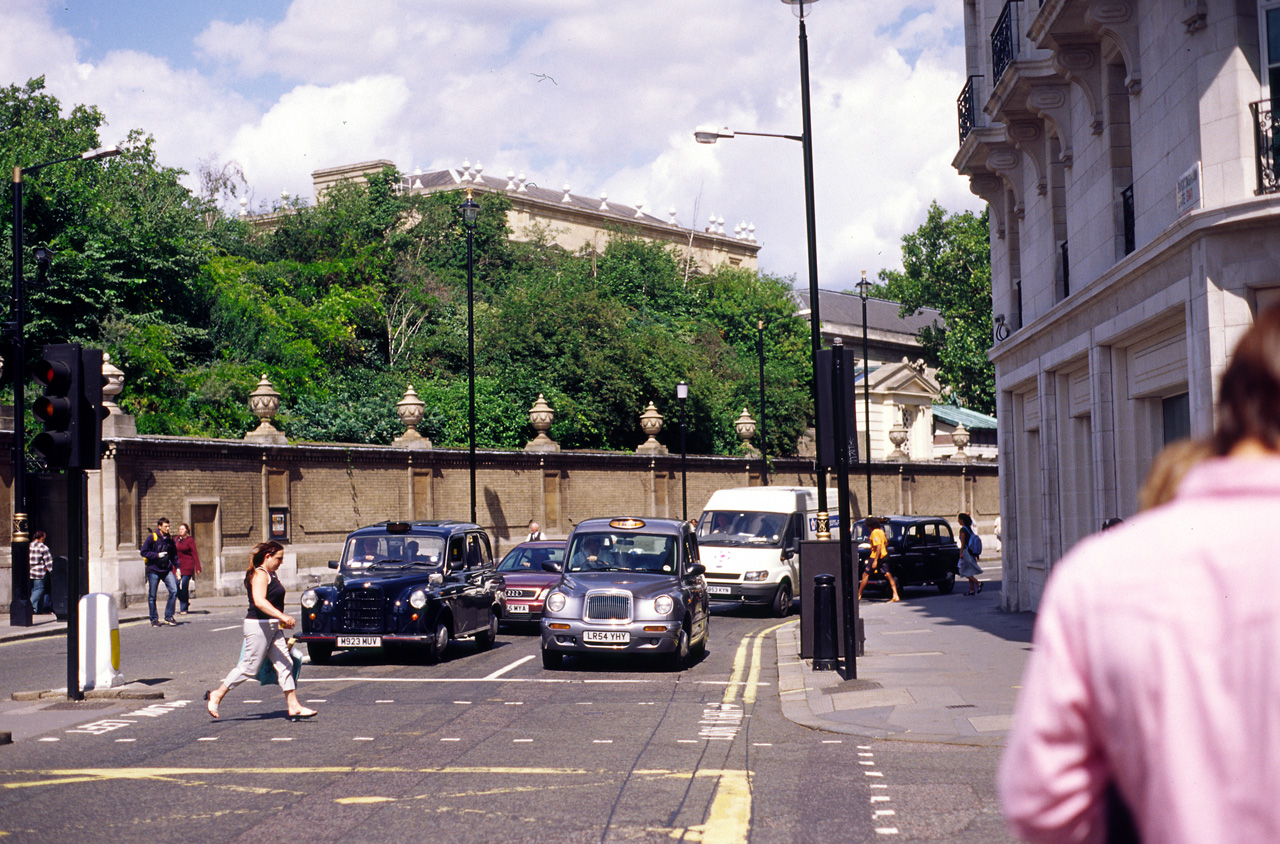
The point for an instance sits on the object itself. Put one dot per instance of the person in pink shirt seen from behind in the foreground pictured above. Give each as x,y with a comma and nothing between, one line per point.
1155,674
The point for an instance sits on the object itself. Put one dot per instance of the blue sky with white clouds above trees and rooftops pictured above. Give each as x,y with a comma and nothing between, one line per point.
601,95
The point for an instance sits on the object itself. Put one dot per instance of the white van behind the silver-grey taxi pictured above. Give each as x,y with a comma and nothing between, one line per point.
749,541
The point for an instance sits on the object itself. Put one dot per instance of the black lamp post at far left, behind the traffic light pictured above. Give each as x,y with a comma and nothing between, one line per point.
20,606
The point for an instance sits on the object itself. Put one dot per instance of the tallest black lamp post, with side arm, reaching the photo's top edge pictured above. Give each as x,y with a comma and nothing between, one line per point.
802,10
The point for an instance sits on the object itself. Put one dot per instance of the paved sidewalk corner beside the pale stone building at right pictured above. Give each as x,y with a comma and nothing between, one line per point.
938,668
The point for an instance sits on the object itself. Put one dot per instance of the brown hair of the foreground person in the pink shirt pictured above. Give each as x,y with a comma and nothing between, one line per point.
1250,402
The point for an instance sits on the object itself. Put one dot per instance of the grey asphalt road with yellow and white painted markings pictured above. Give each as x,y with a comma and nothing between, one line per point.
487,747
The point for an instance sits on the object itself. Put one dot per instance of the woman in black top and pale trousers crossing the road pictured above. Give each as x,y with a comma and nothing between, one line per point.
264,637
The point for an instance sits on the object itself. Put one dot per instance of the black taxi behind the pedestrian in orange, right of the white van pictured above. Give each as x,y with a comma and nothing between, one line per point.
922,551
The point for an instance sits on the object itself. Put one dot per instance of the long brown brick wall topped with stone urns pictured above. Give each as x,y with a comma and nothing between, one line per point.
228,491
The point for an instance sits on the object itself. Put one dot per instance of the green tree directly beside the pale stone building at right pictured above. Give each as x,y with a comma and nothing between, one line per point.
947,266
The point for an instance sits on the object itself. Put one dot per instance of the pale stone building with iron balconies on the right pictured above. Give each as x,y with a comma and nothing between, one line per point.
1128,153
